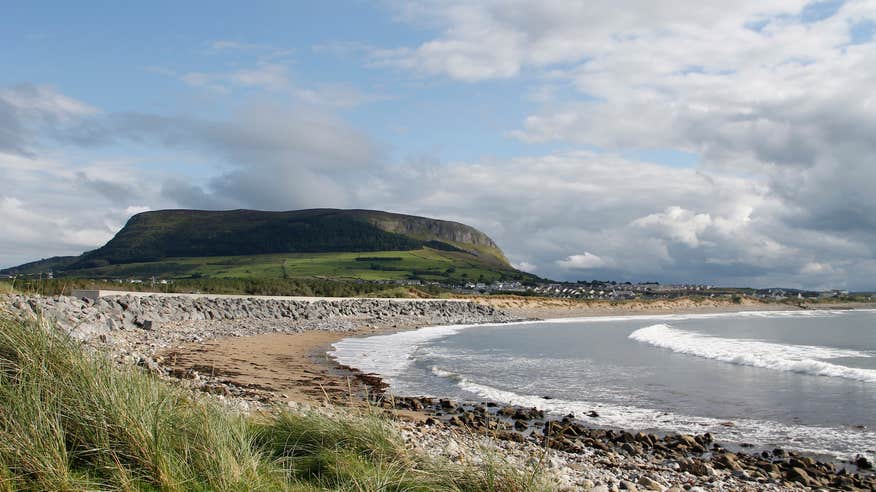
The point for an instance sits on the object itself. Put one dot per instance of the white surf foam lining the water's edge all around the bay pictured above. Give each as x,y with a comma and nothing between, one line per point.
391,355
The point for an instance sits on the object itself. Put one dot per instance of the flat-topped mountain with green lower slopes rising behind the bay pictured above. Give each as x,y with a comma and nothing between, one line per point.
315,242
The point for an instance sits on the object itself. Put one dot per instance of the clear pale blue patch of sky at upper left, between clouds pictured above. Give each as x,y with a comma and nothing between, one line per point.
119,57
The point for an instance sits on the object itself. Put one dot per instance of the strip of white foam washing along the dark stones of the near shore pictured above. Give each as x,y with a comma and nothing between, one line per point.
843,442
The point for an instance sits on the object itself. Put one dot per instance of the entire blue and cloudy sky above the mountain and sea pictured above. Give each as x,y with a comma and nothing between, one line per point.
633,140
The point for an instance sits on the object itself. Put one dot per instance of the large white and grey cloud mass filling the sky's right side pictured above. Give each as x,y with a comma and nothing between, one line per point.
774,98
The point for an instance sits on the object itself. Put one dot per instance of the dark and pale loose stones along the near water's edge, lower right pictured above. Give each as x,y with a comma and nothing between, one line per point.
587,458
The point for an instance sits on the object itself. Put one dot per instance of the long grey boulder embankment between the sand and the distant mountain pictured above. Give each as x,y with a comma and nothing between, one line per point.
135,329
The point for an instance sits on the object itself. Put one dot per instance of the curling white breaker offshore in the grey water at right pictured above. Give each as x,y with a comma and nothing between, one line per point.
802,359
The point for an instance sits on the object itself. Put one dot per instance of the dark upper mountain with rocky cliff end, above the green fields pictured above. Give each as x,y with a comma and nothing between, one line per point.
152,236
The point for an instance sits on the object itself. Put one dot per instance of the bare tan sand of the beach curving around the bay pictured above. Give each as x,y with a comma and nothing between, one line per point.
295,367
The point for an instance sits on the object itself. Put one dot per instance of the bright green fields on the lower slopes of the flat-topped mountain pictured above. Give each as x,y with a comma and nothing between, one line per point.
422,264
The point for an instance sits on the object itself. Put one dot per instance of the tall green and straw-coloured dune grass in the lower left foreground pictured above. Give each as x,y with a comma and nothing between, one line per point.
71,420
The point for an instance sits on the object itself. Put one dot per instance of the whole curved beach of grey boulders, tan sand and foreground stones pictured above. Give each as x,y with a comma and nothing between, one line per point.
257,354
